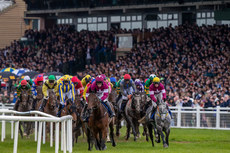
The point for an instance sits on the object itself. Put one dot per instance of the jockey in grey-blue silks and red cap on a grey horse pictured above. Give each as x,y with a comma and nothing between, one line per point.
127,86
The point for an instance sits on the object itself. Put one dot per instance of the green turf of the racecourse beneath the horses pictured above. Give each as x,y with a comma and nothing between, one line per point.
181,141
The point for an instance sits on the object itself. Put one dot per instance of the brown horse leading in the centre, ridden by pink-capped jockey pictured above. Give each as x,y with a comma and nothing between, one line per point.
98,124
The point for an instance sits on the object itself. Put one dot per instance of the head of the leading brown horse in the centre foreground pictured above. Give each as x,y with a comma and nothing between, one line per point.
93,102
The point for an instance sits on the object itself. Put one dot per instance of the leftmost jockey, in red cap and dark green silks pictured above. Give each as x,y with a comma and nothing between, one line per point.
22,86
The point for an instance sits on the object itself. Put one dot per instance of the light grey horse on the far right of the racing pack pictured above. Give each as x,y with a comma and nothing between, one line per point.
162,122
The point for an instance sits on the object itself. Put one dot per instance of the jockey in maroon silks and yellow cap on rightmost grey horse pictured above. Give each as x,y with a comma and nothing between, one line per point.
154,90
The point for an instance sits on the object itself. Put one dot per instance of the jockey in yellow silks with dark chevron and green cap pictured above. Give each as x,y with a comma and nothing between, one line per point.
49,84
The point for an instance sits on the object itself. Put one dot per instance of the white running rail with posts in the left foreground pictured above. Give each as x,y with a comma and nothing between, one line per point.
43,118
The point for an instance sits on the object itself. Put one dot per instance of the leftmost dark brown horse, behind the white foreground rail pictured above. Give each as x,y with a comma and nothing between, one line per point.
24,106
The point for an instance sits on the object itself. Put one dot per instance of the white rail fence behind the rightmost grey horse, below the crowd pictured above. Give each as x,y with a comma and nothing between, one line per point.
201,118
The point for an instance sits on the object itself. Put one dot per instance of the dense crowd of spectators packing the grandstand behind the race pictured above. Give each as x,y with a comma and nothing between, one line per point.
193,62
